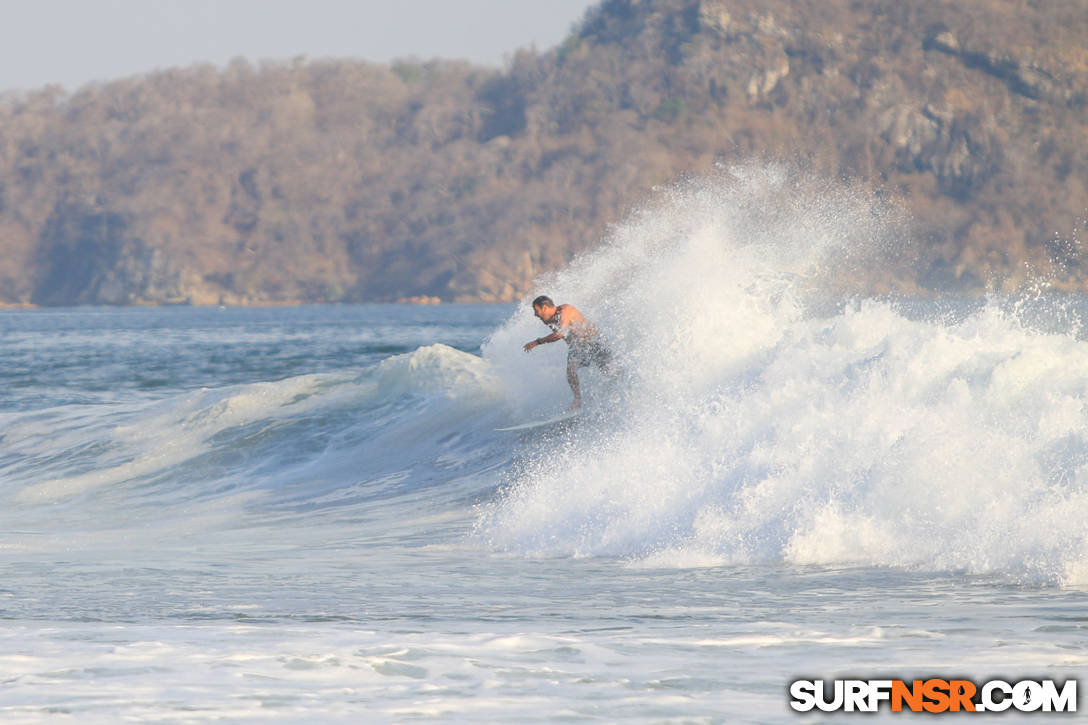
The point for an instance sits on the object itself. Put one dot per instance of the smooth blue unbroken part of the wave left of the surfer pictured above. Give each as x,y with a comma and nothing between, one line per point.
263,452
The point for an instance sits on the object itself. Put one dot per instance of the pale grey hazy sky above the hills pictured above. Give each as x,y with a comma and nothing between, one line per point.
75,42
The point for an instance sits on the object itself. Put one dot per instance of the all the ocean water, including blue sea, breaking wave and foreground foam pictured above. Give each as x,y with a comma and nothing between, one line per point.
307,515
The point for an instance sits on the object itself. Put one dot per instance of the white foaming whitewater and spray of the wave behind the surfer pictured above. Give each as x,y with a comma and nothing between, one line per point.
762,417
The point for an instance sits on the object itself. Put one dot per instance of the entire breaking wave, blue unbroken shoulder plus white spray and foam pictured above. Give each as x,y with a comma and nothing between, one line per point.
762,414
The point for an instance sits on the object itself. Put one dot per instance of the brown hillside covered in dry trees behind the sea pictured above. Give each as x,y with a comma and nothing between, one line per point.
351,181
